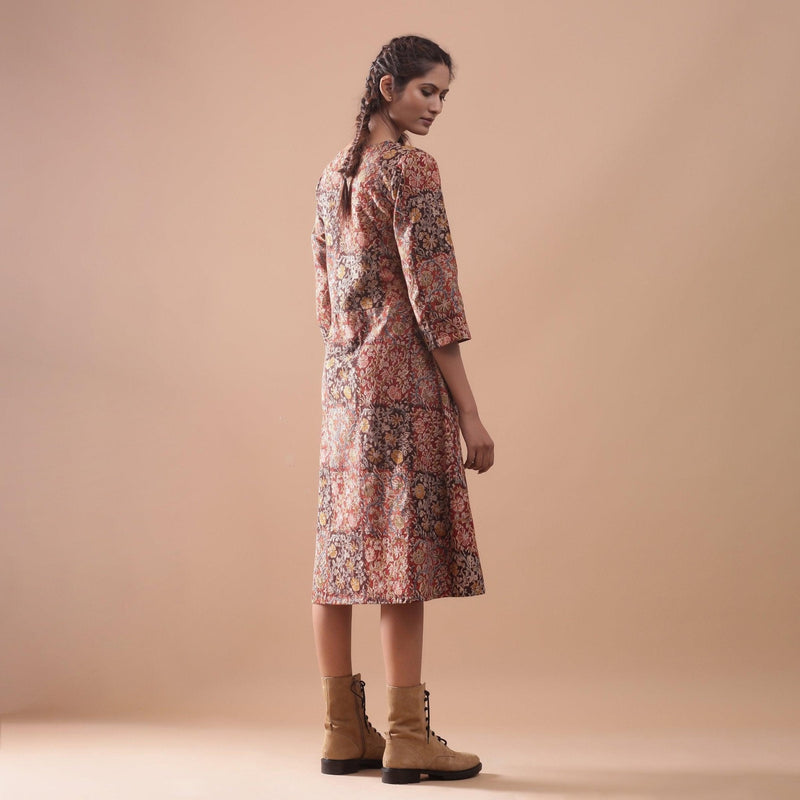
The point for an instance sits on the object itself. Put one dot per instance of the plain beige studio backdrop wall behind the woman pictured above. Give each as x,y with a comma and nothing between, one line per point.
622,185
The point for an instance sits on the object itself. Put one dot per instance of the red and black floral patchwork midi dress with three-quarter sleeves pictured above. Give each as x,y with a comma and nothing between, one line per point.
394,523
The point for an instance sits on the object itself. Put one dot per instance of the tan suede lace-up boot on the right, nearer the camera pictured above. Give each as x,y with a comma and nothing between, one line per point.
412,748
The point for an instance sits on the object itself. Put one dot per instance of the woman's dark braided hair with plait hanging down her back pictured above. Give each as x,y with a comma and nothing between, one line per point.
404,58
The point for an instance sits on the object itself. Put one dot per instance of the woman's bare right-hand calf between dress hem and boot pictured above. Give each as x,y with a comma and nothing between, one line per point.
401,635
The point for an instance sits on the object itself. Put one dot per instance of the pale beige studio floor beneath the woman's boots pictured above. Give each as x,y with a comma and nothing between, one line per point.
127,760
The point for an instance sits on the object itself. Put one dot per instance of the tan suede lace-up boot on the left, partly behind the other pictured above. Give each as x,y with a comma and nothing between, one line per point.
350,743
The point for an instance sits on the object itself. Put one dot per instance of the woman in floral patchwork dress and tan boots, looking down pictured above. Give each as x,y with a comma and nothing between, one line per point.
394,526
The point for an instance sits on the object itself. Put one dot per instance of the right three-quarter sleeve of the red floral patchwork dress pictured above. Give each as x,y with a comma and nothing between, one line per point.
426,251
